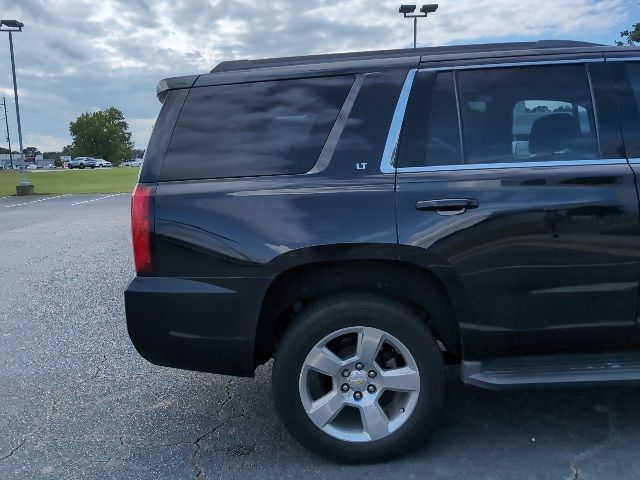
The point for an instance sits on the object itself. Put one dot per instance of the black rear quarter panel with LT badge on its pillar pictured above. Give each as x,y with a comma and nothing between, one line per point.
249,226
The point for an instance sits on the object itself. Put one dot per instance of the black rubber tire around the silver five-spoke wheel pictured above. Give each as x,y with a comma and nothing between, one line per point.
349,310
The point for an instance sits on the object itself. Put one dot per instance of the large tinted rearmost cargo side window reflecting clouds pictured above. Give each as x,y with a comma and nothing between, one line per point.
262,128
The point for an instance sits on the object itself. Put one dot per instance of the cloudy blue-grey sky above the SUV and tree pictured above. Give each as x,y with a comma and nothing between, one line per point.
76,56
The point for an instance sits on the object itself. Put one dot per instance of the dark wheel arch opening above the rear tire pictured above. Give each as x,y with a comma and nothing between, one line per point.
418,287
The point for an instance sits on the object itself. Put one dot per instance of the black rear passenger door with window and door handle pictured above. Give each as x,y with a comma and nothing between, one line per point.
513,186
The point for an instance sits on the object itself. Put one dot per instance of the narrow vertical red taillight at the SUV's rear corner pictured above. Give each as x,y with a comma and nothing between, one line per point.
141,227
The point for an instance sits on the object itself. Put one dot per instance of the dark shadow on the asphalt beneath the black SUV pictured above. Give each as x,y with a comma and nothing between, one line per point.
540,433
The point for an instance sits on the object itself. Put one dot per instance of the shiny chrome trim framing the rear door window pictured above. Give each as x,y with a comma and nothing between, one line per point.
387,164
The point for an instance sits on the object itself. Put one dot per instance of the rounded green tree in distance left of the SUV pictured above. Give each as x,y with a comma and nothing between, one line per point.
102,134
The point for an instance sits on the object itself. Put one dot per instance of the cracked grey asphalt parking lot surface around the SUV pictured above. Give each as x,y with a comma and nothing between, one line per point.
76,400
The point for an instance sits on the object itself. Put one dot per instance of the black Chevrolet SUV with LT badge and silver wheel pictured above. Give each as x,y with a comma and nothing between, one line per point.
367,218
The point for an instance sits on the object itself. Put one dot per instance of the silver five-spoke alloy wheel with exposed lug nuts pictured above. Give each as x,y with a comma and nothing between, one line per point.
359,384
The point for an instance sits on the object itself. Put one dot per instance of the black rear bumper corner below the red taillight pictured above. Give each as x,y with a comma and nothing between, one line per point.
194,324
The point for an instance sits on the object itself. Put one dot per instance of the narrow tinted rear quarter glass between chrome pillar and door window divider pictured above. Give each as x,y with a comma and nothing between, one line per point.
430,134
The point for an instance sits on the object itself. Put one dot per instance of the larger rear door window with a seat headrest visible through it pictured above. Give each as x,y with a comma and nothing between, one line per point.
539,113
